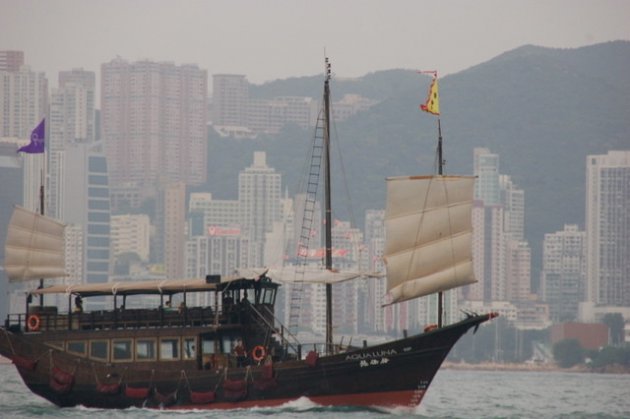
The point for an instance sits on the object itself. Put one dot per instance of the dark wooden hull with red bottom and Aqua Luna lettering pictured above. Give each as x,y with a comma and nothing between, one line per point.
396,373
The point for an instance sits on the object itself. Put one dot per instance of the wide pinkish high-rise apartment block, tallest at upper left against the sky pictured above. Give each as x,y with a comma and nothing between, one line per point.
153,122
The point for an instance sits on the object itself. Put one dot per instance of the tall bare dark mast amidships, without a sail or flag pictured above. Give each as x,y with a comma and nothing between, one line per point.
328,207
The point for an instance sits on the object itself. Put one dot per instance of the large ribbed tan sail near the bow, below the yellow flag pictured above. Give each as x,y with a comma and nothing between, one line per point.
428,242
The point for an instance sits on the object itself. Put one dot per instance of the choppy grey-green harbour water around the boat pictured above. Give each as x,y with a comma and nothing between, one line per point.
453,394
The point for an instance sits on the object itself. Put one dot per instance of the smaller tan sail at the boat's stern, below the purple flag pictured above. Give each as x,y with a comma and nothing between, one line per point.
34,247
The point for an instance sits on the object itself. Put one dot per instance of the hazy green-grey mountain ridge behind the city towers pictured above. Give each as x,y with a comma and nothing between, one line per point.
543,110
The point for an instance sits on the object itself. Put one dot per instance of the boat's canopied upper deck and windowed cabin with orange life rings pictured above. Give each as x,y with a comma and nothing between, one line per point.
241,316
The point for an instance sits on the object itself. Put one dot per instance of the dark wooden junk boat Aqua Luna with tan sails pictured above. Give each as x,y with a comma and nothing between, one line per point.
231,352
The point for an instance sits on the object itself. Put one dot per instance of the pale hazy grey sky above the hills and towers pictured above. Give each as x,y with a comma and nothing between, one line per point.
268,39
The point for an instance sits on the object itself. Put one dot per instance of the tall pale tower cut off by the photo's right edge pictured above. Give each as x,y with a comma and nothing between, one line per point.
608,228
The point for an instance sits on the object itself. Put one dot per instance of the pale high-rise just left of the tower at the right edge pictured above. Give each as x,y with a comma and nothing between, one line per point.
563,277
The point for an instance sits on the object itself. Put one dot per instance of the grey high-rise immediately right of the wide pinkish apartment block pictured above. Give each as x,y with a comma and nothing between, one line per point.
230,100
